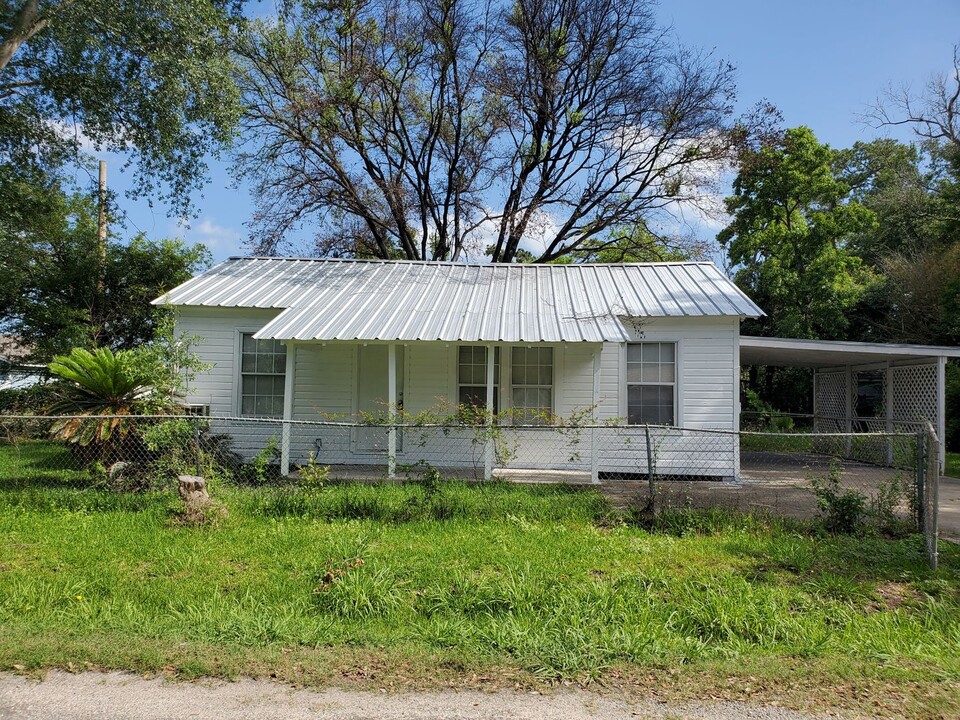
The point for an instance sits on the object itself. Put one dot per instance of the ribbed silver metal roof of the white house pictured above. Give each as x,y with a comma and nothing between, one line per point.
404,300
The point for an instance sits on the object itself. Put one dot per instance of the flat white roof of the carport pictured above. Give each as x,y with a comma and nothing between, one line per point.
787,352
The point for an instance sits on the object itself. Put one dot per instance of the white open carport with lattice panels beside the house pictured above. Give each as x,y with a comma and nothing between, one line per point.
864,387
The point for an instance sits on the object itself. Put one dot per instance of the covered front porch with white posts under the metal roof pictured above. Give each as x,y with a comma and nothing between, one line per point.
386,406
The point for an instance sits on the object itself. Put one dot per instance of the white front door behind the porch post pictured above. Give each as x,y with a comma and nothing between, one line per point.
373,396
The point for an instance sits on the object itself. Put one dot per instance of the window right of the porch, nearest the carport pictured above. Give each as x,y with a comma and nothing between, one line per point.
651,382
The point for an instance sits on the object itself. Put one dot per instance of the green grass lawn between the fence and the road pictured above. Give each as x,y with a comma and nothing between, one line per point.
491,584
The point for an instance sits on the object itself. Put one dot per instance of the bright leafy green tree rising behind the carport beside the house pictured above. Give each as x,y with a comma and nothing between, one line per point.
789,238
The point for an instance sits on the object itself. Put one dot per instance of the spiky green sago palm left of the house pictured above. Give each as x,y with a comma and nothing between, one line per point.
100,392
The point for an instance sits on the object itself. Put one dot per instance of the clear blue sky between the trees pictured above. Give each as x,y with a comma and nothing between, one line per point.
820,62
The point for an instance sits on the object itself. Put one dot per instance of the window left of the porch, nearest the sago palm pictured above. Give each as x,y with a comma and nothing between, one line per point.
263,365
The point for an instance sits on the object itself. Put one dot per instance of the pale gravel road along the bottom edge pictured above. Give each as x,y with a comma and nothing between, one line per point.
116,696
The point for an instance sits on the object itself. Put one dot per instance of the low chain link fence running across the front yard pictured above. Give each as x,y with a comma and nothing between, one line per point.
846,479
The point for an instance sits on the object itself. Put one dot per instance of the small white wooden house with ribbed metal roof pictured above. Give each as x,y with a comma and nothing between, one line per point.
624,344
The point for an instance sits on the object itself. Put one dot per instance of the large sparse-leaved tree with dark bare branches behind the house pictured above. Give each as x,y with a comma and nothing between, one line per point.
431,128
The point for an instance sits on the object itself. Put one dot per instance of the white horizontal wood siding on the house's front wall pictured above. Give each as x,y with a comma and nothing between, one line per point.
326,388
